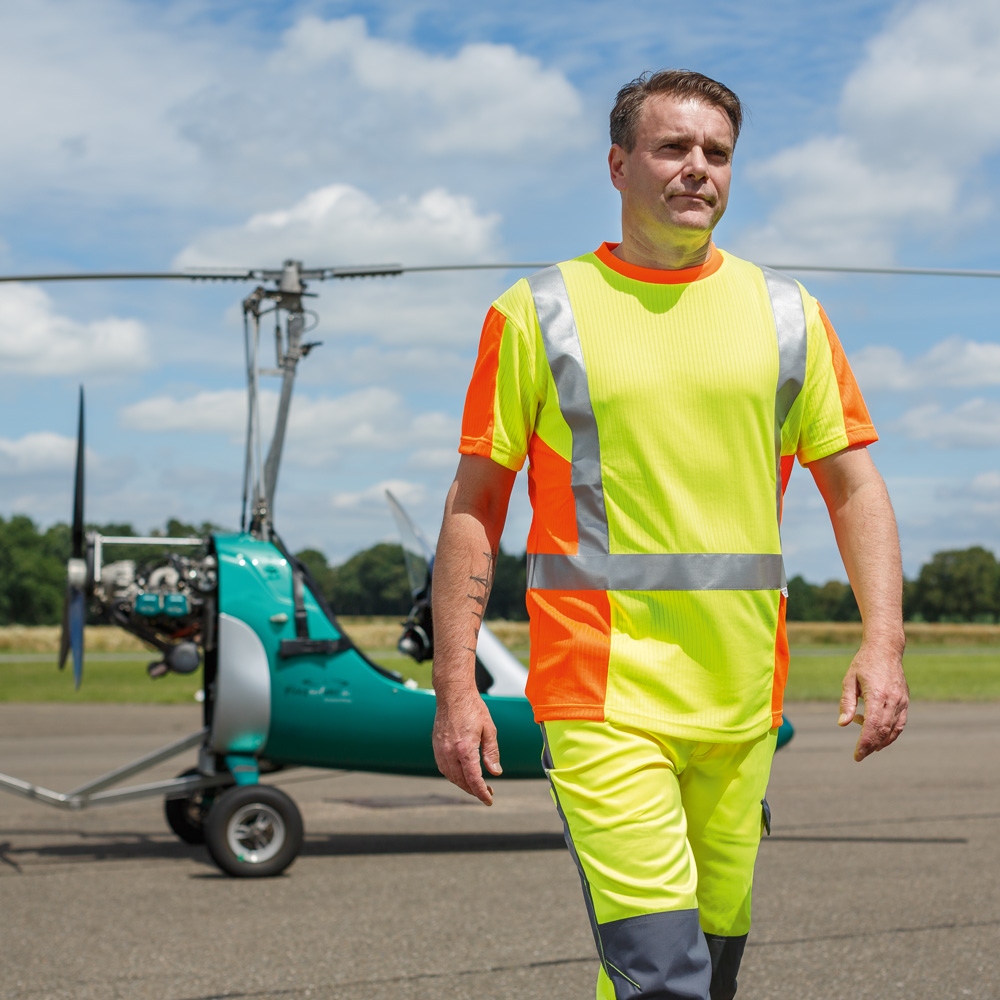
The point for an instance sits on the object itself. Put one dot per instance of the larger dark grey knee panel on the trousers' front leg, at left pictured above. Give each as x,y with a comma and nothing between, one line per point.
657,956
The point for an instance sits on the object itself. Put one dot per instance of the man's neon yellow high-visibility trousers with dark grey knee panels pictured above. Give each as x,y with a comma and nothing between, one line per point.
665,834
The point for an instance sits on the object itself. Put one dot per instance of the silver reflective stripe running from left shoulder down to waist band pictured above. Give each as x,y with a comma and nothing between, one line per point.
565,357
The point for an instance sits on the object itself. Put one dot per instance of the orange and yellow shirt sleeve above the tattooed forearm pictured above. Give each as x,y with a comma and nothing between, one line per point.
503,399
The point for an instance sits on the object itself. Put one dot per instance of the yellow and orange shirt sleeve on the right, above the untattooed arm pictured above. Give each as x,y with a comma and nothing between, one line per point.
831,413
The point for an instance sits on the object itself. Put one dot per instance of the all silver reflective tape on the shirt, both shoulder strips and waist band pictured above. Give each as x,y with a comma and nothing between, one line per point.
594,567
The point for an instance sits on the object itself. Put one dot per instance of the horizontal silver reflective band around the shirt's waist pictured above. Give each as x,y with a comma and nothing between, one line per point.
655,571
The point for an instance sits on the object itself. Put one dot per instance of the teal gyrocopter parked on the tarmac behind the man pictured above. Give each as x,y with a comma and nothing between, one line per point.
284,684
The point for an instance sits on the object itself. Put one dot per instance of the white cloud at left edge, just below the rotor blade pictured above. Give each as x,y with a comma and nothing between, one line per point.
36,340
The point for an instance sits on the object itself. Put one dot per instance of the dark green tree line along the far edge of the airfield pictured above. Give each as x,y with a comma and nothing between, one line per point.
961,585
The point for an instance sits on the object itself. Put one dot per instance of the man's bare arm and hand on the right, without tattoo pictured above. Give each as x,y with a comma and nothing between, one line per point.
865,527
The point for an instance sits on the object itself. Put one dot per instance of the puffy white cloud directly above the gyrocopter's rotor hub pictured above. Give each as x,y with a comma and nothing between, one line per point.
342,224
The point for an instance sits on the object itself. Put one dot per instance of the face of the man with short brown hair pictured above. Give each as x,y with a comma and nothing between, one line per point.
675,182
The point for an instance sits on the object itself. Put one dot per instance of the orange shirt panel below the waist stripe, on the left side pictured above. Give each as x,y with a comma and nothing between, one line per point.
570,651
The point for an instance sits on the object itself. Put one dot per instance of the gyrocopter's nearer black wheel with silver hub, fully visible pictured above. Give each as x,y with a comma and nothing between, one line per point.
253,831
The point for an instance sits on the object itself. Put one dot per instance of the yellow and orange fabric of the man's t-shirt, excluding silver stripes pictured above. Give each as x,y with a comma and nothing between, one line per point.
682,368
